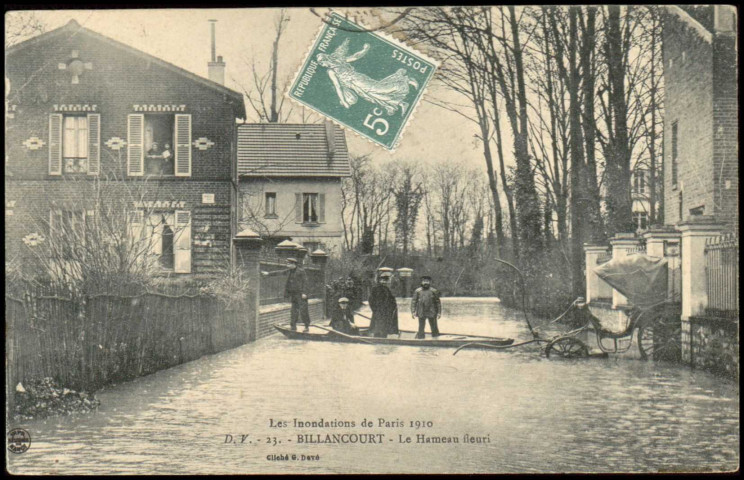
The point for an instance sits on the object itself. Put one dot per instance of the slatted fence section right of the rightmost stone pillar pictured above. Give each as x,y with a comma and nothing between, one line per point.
722,275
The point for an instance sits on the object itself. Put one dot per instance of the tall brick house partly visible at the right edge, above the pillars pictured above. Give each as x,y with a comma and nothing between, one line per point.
701,172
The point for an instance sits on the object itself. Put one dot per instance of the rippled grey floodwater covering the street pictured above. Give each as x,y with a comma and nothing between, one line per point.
221,414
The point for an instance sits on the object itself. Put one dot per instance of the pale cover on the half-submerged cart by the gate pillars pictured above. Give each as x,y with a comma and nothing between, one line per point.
641,278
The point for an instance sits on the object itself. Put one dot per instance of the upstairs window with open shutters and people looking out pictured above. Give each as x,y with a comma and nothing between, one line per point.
159,144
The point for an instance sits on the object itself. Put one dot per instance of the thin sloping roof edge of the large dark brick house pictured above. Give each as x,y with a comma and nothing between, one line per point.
73,28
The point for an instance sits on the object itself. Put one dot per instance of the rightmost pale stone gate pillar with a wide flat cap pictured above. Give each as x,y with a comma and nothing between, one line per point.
694,233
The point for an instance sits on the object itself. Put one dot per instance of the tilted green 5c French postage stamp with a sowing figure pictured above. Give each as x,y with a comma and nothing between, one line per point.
362,80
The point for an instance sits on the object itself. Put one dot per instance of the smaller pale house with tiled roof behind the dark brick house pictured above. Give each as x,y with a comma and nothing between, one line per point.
290,182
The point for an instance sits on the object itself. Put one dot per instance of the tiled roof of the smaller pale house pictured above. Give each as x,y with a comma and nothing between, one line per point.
291,150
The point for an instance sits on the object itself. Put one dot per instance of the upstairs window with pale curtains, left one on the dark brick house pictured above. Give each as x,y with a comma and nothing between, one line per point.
74,144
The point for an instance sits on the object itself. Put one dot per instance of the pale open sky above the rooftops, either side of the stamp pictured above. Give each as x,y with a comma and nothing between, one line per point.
244,36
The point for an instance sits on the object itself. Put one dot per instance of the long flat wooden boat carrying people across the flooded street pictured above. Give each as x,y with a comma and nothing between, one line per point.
321,333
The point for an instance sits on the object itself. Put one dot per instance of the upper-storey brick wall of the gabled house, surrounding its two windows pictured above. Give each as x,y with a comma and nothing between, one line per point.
117,81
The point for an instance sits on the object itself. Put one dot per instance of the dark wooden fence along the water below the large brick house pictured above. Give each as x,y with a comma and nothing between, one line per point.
88,342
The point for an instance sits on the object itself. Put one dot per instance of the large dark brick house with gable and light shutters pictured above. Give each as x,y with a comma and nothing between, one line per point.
88,118
